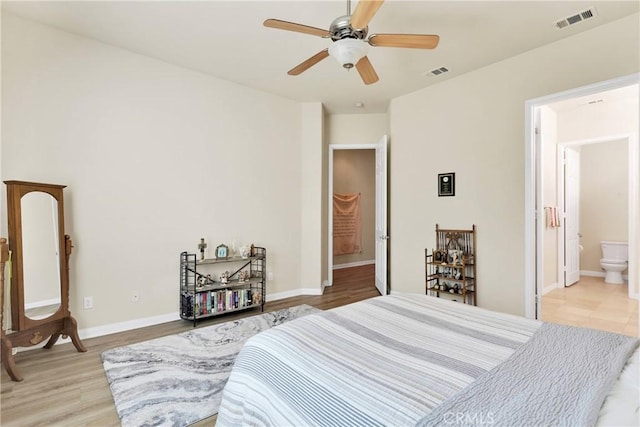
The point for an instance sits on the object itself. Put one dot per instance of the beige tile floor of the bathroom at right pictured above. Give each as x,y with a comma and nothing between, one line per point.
595,304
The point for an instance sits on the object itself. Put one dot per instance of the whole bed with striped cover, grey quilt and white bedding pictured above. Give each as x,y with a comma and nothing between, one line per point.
405,360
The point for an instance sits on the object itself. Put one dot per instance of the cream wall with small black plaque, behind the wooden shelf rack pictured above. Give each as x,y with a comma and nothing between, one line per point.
474,125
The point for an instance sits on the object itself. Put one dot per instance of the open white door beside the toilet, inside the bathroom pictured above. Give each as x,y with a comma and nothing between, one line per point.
572,217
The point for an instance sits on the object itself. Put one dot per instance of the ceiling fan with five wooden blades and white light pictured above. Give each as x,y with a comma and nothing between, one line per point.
350,43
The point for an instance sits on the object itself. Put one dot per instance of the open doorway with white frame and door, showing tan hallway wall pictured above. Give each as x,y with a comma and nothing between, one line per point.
369,186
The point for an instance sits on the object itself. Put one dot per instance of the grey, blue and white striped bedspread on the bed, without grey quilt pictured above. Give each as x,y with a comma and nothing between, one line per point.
385,361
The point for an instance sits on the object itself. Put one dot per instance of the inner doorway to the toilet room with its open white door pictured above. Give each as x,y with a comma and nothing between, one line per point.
593,191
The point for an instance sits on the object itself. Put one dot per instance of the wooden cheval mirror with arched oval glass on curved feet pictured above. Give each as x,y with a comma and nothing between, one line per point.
38,255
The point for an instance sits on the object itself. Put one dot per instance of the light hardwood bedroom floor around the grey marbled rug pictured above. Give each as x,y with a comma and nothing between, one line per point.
64,388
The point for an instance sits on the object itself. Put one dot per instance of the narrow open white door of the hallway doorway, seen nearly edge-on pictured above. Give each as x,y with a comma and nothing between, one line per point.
381,216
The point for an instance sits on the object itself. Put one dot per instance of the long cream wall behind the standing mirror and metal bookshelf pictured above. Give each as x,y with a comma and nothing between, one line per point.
155,157
